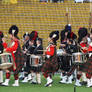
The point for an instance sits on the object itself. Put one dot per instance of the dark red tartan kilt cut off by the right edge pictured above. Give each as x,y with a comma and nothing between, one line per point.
88,66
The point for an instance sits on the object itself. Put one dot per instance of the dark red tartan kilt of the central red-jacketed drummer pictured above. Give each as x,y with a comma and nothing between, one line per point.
50,65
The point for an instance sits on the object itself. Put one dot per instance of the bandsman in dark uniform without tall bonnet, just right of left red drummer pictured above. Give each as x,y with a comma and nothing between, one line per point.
25,48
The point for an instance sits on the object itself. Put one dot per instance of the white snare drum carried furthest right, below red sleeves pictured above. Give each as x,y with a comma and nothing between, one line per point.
78,57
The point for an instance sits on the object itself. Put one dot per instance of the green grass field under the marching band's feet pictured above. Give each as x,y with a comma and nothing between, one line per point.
56,87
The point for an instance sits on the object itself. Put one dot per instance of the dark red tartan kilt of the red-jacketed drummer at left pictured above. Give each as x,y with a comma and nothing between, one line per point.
20,58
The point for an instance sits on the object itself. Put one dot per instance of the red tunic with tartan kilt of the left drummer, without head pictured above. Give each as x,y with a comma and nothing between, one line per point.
18,57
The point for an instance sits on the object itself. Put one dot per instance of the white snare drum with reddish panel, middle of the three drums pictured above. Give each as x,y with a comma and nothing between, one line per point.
35,60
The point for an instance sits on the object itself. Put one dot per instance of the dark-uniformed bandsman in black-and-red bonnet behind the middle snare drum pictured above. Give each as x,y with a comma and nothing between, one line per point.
30,49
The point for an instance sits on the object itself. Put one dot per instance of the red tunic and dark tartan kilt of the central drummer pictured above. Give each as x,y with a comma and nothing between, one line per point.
51,63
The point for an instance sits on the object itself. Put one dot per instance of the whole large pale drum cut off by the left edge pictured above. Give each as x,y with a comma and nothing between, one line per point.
5,60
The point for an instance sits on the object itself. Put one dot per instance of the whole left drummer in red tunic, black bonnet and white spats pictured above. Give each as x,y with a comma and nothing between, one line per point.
18,57
